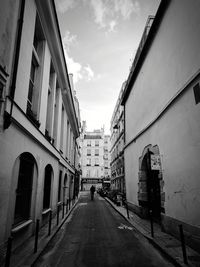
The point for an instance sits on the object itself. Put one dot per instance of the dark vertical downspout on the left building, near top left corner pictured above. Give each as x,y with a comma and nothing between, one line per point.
7,116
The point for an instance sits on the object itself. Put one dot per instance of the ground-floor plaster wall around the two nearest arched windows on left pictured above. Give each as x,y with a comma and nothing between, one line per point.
14,143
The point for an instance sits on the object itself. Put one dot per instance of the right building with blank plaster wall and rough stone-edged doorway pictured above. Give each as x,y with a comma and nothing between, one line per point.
162,110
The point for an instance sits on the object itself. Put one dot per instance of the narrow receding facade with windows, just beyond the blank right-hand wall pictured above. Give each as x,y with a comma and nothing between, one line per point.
117,146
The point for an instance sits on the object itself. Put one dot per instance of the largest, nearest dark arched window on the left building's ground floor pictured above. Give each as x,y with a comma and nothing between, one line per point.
24,188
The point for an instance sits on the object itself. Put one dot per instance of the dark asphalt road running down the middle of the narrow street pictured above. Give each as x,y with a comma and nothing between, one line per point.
95,235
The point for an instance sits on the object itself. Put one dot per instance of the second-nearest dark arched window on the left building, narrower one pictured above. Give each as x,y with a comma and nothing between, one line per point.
47,187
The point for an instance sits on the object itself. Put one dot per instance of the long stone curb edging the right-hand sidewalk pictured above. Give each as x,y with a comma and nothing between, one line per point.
151,240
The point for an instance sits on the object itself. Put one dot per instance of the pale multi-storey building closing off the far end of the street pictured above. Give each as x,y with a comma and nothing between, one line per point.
95,158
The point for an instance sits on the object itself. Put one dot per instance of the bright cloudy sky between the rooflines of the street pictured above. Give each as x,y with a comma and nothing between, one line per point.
100,39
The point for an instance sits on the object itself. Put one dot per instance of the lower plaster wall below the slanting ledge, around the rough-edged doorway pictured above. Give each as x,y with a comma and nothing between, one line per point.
177,135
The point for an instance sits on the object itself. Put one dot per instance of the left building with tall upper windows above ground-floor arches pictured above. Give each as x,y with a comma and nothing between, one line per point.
39,124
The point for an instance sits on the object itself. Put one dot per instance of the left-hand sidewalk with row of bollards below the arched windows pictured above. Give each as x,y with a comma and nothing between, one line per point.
24,255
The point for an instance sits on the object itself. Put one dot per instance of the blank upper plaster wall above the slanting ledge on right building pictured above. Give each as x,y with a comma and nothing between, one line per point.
172,59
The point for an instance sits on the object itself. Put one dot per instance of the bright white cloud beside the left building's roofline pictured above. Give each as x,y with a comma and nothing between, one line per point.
79,71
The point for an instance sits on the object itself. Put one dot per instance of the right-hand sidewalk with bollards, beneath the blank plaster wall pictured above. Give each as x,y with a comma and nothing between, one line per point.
166,243
